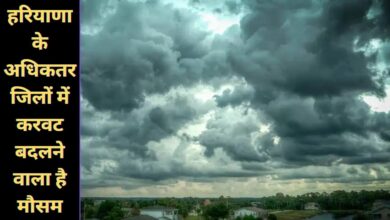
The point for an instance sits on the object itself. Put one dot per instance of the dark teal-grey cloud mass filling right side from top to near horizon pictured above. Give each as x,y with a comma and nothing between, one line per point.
309,85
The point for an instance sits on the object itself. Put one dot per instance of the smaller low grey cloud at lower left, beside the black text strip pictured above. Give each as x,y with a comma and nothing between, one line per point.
129,133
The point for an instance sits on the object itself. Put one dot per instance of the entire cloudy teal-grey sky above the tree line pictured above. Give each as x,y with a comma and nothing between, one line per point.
234,97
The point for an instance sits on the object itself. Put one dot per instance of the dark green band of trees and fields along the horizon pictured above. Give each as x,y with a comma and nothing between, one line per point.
339,203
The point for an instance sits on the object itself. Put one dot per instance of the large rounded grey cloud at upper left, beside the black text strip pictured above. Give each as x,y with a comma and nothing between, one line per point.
137,53
